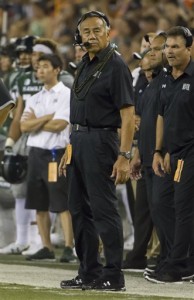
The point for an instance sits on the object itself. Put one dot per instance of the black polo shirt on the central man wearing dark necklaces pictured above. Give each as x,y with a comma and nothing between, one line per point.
99,104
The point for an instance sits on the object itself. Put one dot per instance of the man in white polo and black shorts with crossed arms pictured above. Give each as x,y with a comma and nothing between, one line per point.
46,118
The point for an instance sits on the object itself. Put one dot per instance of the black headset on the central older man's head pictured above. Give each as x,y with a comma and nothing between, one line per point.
93,13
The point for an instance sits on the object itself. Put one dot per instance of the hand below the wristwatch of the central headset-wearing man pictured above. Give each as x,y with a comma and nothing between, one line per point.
121,170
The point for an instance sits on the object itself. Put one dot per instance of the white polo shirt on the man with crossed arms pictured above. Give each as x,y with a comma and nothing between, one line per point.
57,101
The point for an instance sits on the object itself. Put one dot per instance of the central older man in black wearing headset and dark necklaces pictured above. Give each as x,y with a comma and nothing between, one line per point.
101,102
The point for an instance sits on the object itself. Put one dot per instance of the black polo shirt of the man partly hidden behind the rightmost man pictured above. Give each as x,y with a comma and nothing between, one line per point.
148,111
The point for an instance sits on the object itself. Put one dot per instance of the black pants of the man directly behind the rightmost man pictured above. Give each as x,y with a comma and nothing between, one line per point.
160,193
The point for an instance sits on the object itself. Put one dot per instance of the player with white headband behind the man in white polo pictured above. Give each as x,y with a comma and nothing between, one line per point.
27,84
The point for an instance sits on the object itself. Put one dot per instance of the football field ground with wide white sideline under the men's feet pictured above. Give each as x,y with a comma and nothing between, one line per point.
26,280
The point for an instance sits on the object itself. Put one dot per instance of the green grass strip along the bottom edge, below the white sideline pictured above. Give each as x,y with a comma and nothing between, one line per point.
21,292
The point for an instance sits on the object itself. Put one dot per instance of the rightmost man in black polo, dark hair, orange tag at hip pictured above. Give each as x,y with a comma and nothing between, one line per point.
175,125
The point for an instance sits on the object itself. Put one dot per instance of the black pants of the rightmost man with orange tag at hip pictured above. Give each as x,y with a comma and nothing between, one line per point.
184,213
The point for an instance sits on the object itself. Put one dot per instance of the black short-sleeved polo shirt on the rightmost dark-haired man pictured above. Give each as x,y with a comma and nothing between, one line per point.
177,109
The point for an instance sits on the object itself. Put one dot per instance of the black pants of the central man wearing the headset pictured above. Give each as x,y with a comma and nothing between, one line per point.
93,203
